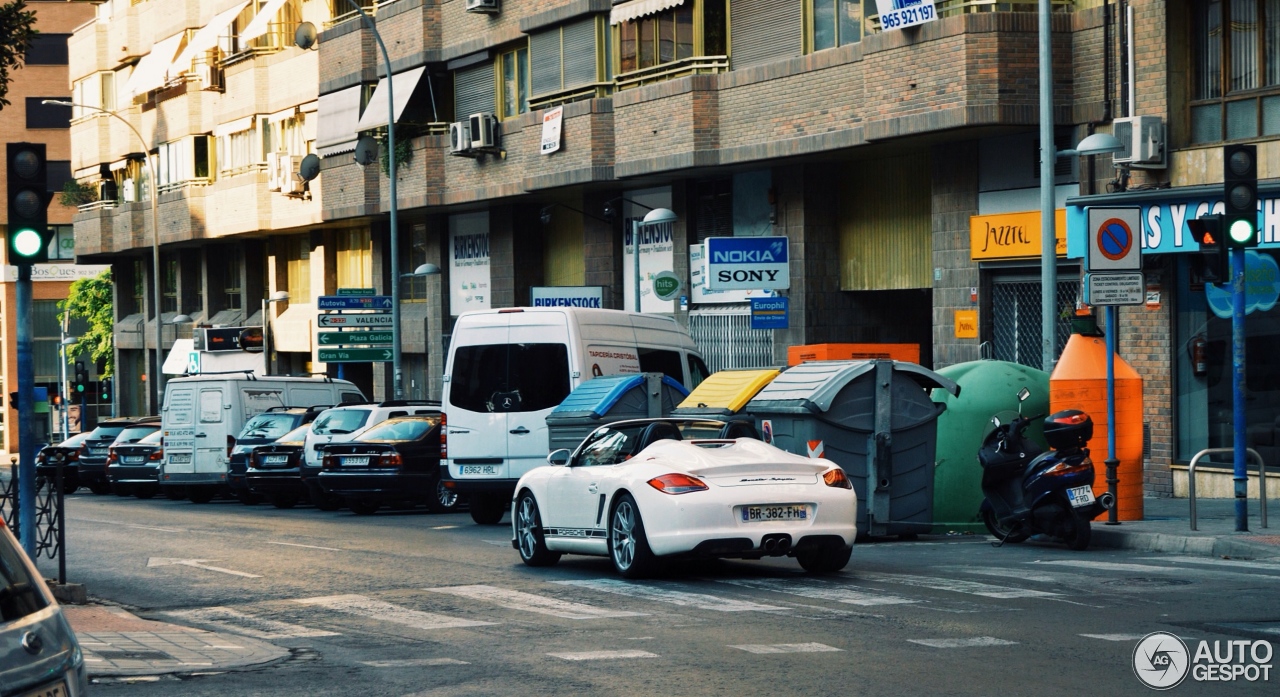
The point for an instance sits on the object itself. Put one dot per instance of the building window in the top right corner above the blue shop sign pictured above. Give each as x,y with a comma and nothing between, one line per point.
1236,74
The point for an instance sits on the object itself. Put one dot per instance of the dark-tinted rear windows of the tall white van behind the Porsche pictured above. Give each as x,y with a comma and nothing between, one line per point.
510,378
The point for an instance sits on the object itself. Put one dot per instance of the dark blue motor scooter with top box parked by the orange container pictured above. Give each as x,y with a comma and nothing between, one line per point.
1030,492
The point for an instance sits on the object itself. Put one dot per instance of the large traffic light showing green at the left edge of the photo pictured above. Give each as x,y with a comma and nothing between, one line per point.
29,204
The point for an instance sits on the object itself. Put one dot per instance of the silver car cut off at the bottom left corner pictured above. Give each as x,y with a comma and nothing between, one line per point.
39,653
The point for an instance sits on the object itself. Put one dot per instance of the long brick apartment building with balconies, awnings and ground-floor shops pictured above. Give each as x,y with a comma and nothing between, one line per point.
533,134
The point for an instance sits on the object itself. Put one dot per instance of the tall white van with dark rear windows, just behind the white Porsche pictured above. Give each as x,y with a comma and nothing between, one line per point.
509,369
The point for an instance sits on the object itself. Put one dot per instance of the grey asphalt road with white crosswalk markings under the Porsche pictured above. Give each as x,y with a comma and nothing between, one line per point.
405,604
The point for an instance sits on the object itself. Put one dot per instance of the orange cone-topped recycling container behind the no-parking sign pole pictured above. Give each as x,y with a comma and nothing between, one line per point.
1080,382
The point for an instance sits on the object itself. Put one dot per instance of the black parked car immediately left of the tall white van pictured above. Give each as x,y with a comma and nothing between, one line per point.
397,461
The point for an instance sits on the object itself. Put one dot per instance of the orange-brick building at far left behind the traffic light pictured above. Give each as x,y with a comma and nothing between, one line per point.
44,76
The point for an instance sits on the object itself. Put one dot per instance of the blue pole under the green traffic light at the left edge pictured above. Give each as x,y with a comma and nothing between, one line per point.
28,531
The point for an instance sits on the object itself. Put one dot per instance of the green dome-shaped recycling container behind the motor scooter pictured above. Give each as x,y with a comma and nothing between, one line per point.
986,389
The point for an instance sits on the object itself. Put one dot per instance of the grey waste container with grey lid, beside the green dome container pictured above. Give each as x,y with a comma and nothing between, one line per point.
875,420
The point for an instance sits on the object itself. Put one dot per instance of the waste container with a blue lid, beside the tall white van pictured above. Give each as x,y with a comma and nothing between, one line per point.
607,400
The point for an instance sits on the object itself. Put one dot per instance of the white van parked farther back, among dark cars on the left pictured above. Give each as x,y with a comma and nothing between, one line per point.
203,415
